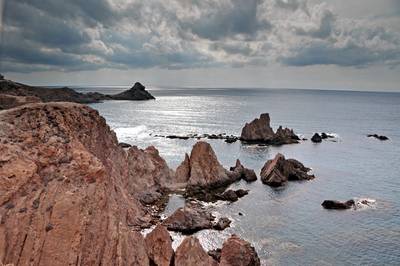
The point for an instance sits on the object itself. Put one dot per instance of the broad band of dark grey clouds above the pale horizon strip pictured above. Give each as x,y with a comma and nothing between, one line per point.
93,34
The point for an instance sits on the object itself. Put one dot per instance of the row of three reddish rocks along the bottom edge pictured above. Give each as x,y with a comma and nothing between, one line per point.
234,251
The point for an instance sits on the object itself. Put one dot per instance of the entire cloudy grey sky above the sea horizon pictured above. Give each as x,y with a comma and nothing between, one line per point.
336,44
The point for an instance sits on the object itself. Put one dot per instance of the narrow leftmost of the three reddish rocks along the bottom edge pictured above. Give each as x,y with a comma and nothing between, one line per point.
159,247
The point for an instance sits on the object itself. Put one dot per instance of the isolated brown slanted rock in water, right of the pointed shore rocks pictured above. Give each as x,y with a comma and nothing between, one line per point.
278,171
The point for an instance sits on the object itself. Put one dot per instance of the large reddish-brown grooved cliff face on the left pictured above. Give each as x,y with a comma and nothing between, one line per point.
66,193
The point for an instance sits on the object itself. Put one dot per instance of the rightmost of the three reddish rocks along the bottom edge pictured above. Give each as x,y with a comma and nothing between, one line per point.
238,252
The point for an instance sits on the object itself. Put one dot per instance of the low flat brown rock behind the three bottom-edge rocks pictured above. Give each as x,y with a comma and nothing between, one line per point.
189,219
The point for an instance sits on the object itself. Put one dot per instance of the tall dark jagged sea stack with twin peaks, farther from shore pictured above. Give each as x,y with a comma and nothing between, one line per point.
260,131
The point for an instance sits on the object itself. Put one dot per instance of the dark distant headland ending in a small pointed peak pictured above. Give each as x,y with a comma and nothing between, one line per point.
65,94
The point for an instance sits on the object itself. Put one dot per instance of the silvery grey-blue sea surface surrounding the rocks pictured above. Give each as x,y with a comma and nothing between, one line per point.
287,226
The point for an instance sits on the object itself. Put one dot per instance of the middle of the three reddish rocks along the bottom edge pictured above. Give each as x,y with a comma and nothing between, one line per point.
190,252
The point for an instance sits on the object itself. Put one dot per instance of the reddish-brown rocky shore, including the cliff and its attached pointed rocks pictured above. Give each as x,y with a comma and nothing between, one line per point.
70,194
